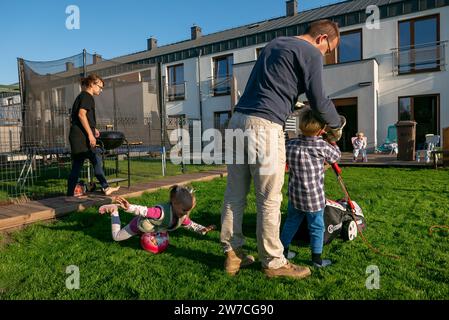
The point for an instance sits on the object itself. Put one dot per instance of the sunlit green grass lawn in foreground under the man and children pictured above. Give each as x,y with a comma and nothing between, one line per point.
399,204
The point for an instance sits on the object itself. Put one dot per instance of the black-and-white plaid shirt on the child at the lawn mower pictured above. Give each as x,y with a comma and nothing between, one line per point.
305,158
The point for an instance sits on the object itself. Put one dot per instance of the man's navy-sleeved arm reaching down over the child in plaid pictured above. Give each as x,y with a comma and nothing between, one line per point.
316,95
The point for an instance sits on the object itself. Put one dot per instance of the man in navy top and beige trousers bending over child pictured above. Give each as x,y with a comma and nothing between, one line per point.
286,68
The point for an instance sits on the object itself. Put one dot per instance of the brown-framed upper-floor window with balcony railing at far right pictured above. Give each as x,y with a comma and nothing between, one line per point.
419,48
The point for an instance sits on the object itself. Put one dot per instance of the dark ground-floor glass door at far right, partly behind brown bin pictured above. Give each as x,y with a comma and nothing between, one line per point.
425,111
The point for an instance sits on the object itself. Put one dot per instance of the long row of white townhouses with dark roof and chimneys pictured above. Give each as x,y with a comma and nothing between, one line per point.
391,65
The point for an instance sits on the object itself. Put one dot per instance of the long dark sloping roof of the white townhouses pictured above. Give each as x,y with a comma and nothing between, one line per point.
345,13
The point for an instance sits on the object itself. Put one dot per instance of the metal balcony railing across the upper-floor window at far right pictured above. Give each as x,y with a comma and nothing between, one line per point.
419,58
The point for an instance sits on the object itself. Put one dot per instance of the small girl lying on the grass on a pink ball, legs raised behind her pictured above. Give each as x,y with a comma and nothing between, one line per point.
157,220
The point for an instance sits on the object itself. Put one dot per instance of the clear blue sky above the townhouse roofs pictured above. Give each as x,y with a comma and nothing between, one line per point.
36,30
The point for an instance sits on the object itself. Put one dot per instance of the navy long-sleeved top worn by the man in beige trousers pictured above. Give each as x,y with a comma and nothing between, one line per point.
286,68
